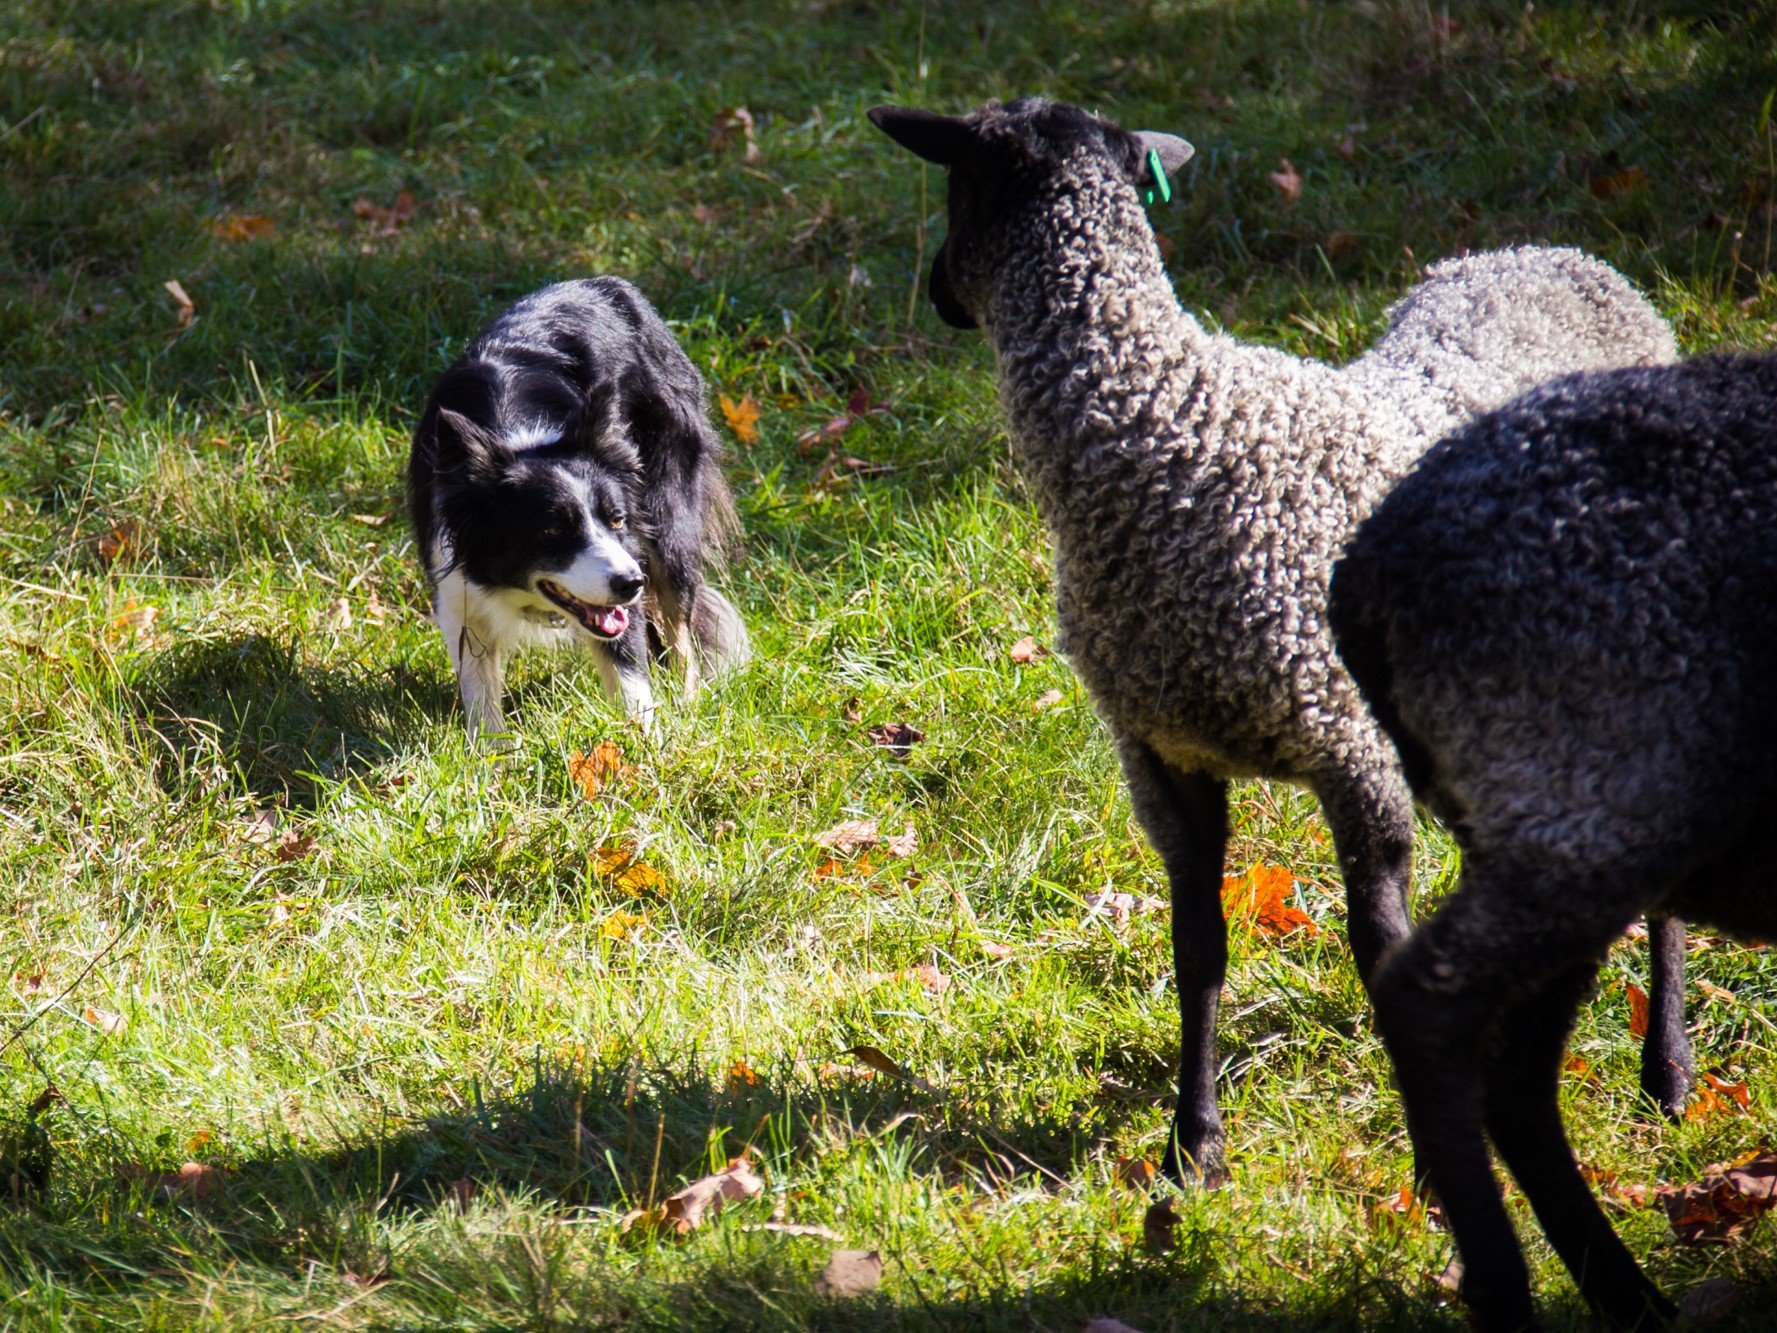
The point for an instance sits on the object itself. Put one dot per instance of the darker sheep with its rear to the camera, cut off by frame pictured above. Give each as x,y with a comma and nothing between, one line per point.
1566,618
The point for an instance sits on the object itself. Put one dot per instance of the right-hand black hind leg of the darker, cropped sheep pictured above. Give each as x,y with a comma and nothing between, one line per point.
1524,1122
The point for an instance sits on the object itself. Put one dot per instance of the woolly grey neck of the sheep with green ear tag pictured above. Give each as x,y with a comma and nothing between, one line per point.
1094,349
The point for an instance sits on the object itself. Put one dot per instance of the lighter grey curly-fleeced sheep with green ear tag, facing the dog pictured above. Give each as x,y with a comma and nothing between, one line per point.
1197,491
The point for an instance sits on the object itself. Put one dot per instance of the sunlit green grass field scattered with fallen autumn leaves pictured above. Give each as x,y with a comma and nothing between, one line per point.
415,1042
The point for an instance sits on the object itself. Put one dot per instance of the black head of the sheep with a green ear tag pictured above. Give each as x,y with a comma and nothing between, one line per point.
1000,157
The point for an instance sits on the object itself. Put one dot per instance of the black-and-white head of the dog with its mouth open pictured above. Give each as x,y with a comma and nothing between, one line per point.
552,518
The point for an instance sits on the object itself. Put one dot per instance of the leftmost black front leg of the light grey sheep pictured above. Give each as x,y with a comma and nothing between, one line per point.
1186,818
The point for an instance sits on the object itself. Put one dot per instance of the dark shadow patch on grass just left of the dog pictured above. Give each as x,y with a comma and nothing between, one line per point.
282,721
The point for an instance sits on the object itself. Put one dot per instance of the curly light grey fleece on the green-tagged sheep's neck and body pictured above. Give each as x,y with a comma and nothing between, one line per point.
1199,488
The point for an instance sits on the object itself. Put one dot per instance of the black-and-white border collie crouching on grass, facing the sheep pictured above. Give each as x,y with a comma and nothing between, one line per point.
566,491
